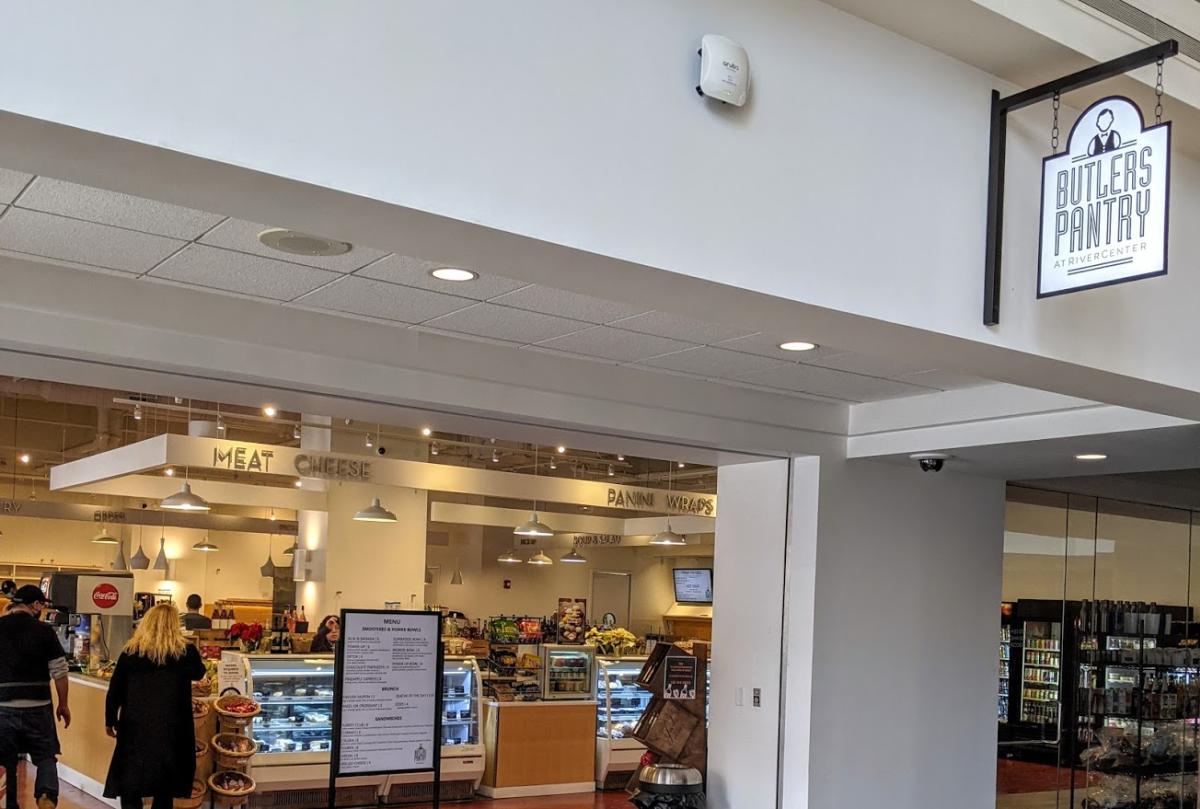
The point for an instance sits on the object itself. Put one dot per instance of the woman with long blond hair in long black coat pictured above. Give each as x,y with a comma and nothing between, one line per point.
149,712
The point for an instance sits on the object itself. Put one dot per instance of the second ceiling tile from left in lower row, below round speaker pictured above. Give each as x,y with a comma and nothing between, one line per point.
249,275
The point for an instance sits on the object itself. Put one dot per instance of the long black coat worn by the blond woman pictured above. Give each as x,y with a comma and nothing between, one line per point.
152,709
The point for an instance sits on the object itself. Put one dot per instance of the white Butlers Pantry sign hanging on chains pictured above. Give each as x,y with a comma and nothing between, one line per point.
1105,201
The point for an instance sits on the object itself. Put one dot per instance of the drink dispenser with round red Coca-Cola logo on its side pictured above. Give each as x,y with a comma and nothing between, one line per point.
95,613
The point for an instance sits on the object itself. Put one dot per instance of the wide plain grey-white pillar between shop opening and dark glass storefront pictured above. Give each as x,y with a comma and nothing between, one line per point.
903,640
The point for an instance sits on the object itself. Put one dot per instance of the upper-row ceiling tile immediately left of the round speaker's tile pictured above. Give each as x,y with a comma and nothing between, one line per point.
82,202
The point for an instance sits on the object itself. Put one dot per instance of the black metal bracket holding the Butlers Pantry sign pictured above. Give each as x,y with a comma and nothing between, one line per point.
1000,110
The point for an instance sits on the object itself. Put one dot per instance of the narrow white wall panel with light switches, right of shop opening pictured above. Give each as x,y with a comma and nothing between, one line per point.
748,620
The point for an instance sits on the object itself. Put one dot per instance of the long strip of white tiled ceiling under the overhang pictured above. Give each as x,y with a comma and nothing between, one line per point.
101,231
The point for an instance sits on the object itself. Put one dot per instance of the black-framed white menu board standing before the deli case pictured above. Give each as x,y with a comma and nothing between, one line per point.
388,699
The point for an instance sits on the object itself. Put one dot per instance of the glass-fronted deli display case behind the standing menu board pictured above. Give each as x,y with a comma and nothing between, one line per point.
295,732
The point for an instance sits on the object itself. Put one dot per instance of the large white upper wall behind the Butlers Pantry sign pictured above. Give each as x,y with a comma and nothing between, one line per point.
845,118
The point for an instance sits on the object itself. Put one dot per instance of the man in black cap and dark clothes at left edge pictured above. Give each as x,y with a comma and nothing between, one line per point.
31,658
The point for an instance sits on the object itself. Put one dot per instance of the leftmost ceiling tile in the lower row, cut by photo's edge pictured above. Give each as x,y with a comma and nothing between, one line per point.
99,245
